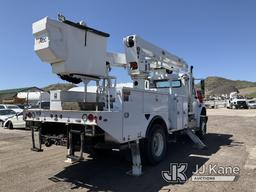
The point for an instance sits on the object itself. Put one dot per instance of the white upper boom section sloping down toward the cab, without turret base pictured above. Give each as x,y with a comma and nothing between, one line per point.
149,57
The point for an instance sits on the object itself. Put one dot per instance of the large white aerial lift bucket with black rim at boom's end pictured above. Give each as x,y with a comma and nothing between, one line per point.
70,48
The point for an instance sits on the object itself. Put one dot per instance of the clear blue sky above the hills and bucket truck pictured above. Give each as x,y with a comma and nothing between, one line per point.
218,37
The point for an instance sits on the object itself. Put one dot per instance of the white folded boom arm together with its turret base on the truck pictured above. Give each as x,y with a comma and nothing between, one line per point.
144,58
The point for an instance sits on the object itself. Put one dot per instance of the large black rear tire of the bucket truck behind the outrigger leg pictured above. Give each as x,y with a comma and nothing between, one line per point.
155,145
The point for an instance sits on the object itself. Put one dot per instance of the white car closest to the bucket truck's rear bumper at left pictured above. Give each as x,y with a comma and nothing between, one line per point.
15,122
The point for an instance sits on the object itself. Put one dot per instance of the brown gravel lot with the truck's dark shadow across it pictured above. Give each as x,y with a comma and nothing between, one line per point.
231,141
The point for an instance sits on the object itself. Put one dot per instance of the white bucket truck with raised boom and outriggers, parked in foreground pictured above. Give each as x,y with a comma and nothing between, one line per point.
161,103
